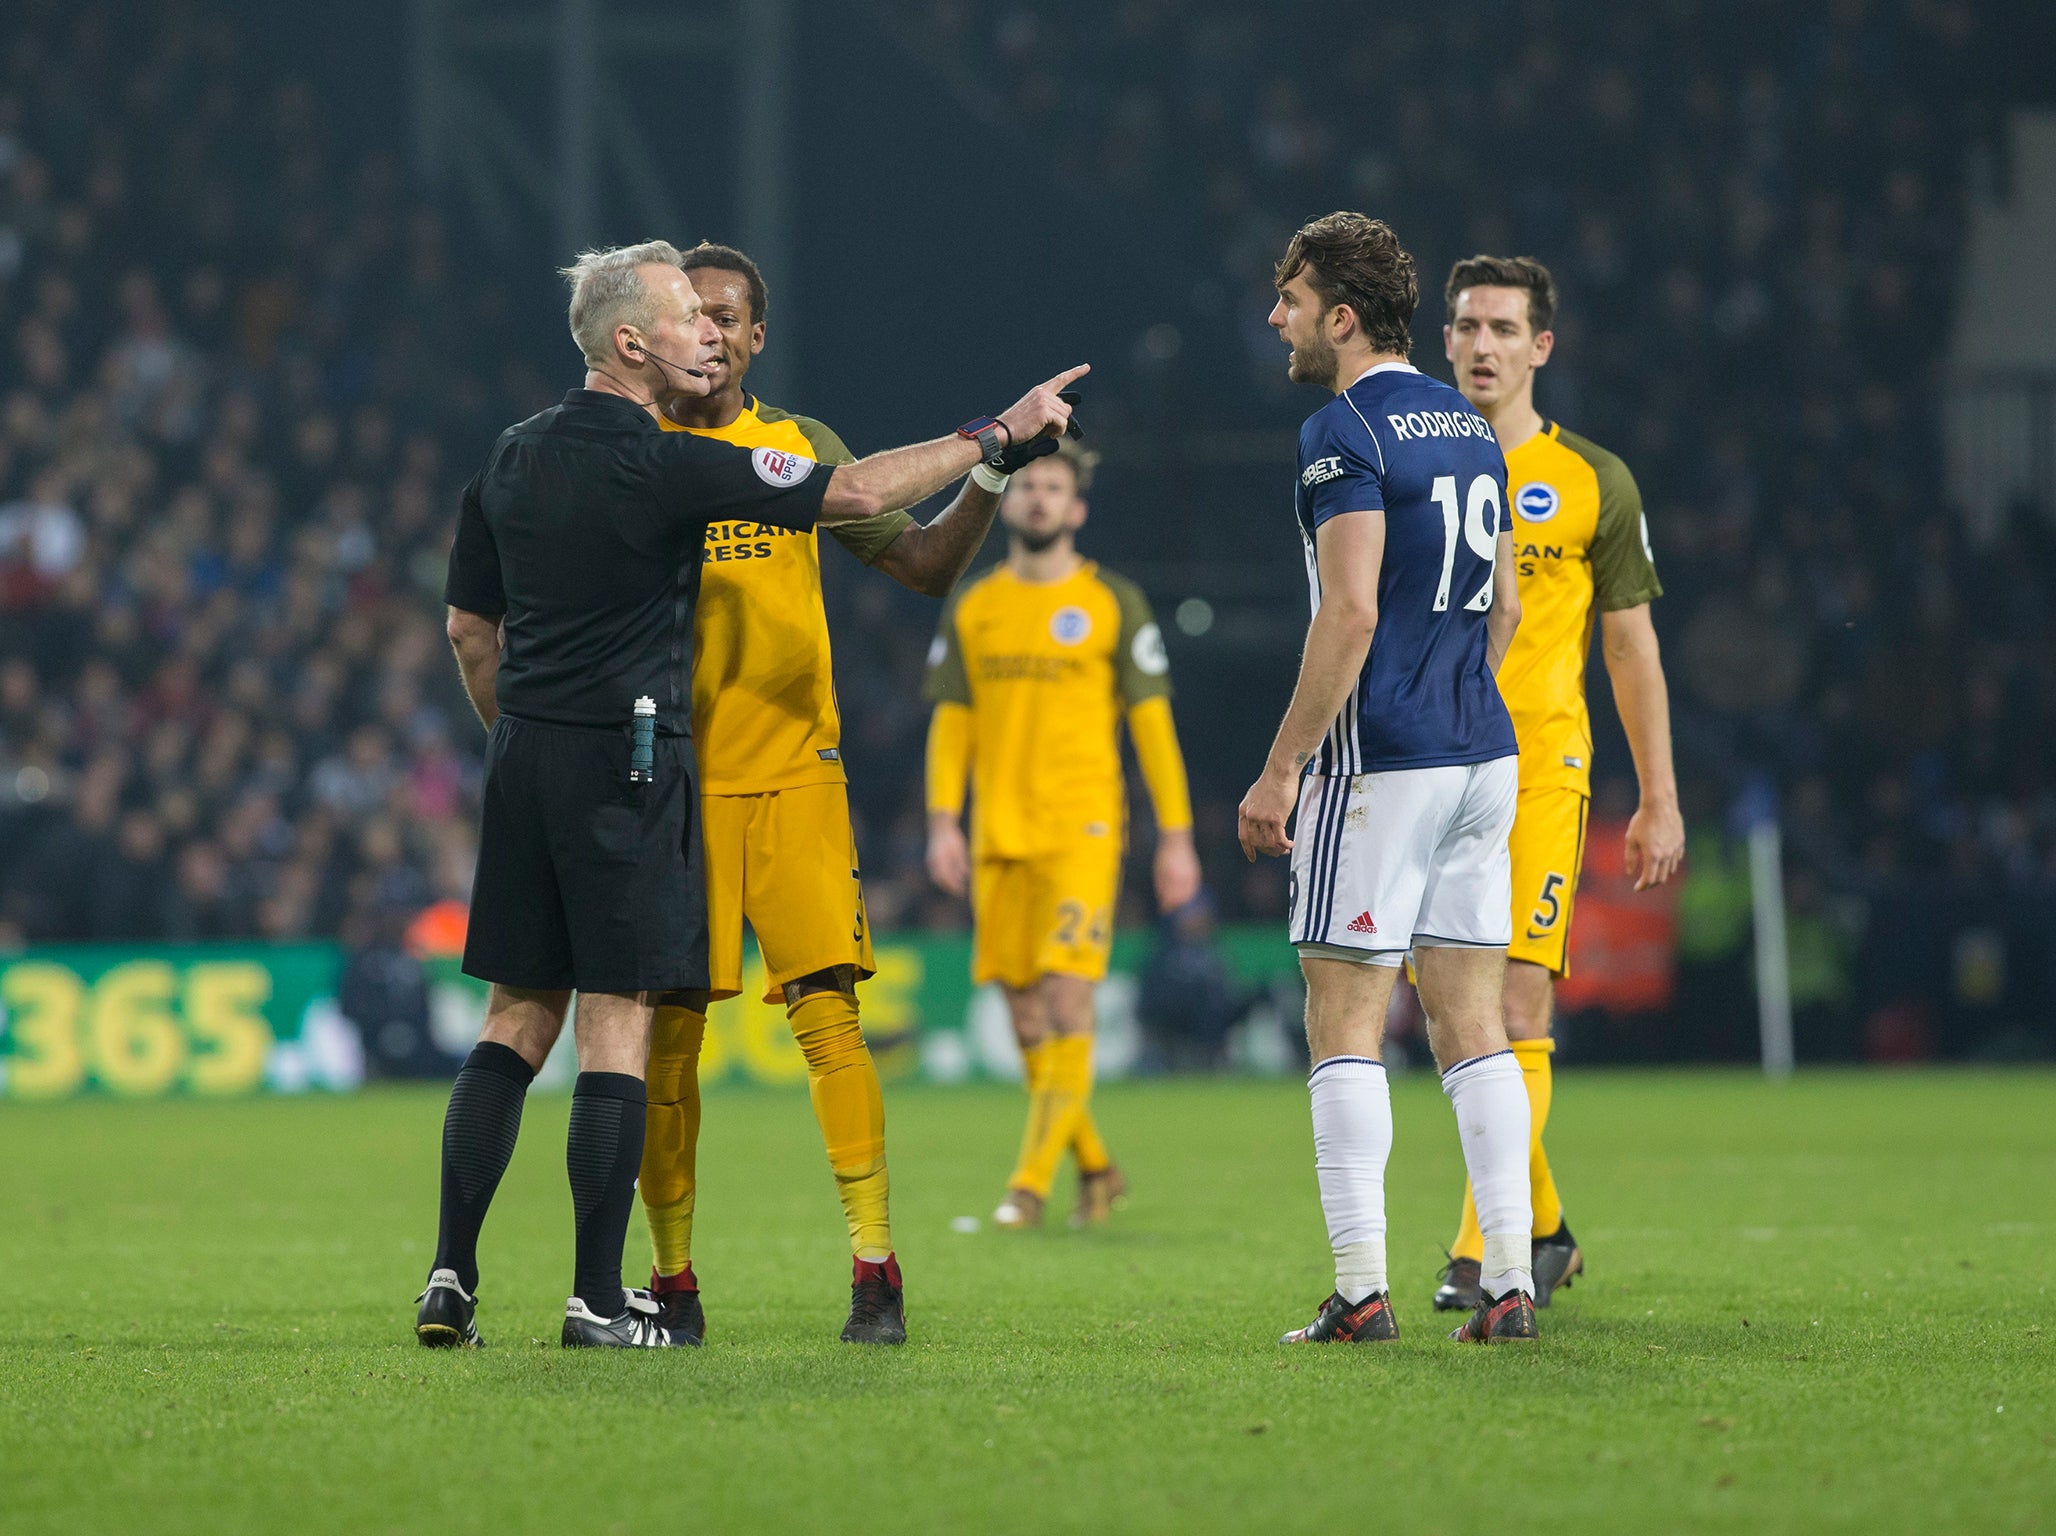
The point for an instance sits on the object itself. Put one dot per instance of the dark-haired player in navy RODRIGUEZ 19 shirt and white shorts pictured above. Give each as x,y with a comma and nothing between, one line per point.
1407,762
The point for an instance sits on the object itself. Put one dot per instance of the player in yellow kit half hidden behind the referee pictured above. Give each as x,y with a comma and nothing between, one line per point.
776,811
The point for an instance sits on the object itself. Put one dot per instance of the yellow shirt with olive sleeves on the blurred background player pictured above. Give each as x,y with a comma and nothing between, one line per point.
1048,671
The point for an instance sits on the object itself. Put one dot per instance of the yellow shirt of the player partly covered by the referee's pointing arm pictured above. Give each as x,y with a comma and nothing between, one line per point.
764,678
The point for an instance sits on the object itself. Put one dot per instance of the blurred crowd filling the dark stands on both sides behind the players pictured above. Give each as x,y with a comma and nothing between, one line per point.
242,388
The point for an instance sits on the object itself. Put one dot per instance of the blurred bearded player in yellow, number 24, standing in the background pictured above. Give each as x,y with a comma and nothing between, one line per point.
1033,673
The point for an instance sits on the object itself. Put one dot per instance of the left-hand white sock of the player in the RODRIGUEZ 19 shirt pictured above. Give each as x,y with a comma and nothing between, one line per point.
1352,1144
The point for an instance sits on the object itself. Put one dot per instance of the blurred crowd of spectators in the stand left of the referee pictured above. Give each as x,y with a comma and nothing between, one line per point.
227,400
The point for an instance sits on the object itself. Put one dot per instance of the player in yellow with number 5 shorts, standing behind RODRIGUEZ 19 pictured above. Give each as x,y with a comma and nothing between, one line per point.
1580,544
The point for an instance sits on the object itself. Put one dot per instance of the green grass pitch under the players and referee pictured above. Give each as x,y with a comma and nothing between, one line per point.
1821,1307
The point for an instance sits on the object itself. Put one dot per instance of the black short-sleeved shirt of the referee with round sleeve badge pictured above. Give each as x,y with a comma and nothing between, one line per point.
585,534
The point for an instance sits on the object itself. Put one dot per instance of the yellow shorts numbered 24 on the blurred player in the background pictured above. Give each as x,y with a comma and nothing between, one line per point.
1045,916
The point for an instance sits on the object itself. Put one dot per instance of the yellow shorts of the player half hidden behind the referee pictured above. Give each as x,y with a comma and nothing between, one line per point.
786,863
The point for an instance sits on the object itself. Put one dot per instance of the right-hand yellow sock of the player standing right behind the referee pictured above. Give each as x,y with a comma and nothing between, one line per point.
852,1113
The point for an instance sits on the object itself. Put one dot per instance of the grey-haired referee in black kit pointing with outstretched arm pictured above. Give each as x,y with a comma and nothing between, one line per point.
573,587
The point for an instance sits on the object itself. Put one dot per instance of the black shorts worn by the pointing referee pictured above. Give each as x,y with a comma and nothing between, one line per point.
585,879
